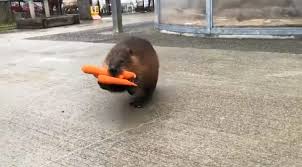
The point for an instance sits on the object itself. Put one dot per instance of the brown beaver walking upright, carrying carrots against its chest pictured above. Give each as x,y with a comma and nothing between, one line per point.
136,55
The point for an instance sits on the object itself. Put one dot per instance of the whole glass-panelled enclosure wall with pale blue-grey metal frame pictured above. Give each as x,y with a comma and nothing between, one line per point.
230,17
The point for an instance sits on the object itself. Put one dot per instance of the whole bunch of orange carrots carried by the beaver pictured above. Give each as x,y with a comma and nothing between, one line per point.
105,78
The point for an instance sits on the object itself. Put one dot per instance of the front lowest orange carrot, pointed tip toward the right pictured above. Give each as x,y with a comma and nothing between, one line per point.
104,79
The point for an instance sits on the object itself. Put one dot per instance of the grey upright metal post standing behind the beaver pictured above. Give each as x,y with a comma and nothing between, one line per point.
117,16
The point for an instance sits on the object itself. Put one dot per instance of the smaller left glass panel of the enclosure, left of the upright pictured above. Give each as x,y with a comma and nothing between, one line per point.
183,12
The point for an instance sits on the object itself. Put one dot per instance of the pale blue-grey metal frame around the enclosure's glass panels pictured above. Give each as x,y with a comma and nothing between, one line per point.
210,29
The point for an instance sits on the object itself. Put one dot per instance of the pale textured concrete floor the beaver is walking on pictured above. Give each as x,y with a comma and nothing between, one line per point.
212,107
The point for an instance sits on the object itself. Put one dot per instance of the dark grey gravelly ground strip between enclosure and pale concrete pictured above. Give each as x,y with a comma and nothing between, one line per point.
146,30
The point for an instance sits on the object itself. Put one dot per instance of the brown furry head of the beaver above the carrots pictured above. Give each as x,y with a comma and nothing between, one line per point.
119,61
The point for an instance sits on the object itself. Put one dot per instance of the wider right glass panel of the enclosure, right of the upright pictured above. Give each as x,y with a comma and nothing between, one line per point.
257,13
